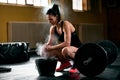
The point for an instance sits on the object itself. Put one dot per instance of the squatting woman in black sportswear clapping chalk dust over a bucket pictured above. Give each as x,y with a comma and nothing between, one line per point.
68,41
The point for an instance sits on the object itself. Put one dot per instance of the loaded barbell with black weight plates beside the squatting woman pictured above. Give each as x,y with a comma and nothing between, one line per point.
91,59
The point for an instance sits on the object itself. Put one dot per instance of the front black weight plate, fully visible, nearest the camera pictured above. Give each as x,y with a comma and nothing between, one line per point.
93,53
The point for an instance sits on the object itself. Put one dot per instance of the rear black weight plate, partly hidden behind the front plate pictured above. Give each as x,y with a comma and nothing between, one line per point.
111,48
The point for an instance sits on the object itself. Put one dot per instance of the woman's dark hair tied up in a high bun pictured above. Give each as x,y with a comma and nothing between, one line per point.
54,11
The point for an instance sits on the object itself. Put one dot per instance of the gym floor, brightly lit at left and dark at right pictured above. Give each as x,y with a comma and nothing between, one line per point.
28,71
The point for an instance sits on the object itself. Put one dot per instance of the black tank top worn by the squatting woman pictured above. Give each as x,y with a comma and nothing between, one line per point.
75,41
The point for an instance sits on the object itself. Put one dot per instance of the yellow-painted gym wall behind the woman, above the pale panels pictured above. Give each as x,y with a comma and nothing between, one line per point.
10,13
